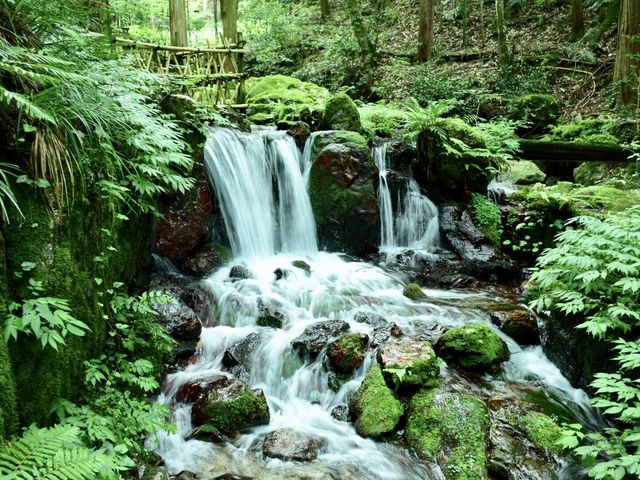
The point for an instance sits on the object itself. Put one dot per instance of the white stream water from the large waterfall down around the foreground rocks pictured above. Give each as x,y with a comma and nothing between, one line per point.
260,182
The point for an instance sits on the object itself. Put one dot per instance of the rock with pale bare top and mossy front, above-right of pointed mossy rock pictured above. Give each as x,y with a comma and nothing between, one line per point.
409,364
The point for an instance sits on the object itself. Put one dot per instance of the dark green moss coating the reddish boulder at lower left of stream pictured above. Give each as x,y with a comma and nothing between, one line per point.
246,409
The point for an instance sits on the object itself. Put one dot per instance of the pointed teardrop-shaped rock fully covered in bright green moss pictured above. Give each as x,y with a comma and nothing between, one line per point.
375,407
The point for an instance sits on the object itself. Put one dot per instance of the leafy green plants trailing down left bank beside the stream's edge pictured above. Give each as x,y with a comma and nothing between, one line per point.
117,415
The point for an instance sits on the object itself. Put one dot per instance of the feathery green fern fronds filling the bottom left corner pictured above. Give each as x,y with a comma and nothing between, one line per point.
53,453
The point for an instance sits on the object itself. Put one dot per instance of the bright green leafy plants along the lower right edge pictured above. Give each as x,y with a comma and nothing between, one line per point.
593,273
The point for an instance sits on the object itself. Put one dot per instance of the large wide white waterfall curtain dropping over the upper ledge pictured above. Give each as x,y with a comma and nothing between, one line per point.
258,178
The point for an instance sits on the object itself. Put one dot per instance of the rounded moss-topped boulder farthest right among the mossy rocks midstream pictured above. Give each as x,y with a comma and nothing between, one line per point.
473,347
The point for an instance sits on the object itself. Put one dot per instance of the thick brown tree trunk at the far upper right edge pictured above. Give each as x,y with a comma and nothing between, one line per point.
627,69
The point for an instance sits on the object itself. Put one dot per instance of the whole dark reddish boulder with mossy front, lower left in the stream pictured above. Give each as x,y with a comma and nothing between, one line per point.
228,406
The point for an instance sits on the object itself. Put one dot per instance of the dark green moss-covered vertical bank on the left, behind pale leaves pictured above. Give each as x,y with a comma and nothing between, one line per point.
76,254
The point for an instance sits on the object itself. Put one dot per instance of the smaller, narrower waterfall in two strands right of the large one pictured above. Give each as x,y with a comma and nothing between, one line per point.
416,224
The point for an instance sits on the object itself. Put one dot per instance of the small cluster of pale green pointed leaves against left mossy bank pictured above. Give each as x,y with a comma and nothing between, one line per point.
48,319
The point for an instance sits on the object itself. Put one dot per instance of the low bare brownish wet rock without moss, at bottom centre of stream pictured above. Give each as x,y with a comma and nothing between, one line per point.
288,444
